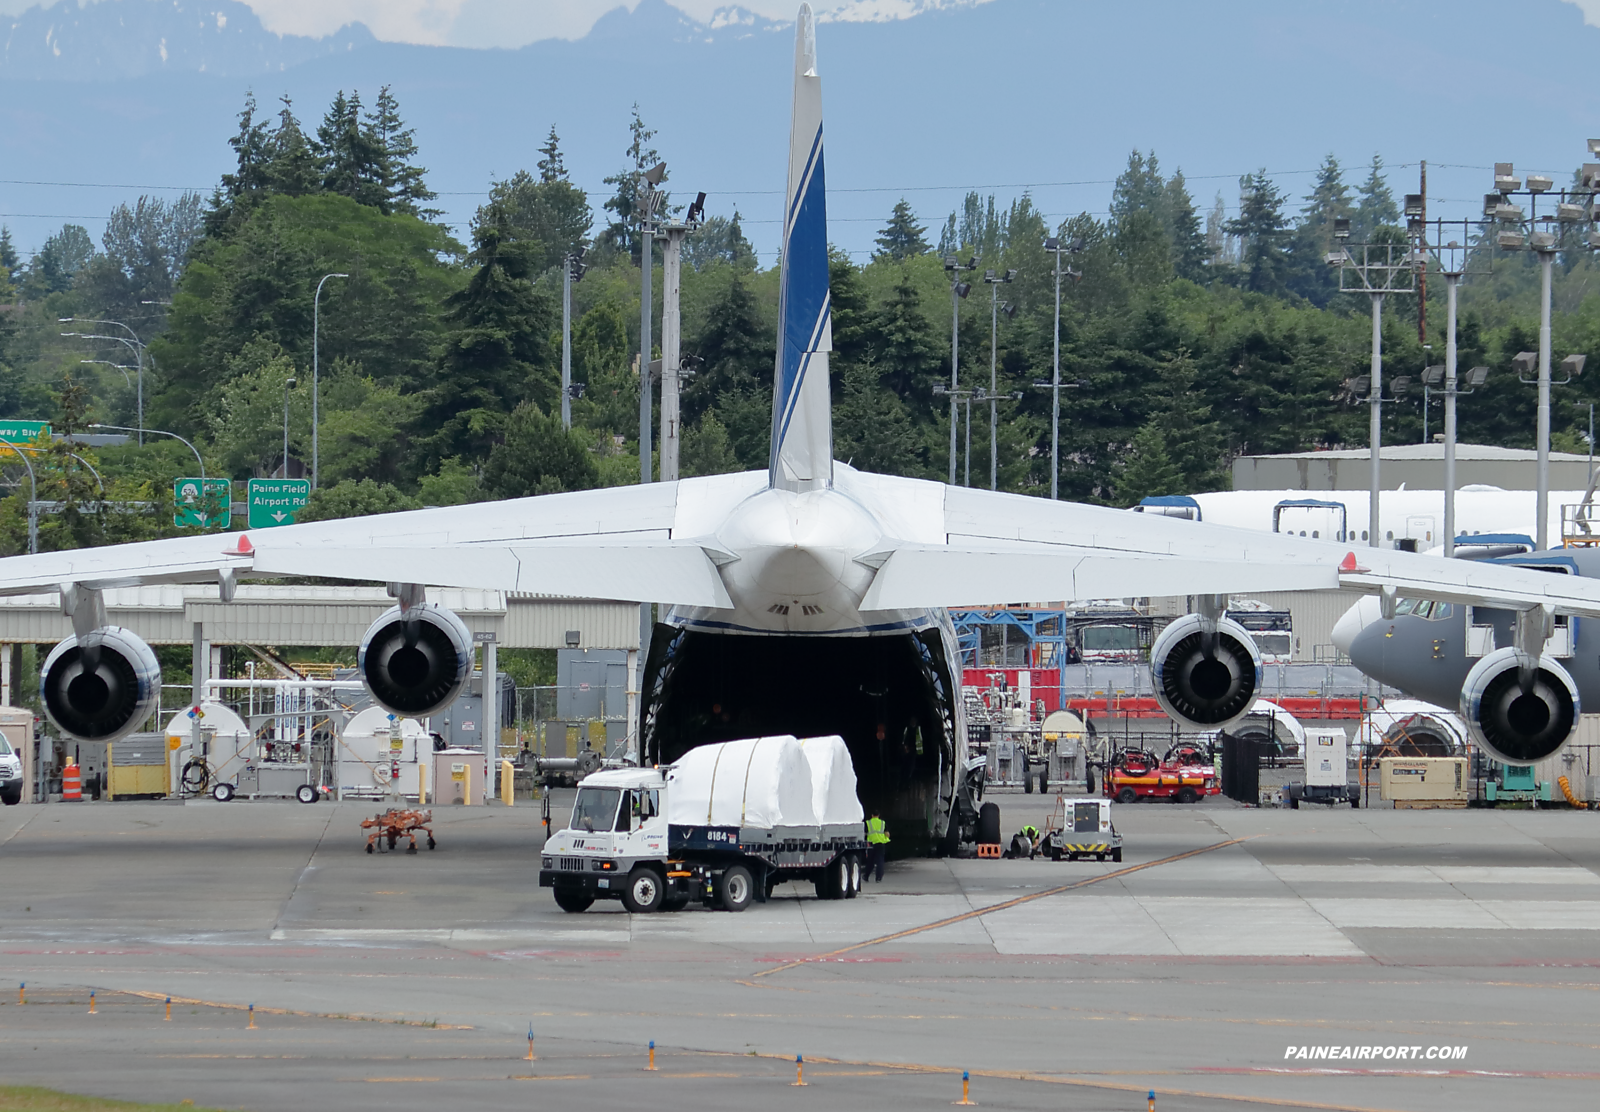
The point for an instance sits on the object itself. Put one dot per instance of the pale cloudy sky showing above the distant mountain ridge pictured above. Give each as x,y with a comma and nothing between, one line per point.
516,23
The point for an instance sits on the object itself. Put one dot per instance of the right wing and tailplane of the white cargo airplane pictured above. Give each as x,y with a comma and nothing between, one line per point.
1014,550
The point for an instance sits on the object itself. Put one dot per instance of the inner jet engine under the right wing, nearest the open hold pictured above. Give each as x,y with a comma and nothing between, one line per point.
1199,684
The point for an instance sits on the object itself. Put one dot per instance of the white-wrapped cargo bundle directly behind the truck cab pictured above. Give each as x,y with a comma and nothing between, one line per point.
761,783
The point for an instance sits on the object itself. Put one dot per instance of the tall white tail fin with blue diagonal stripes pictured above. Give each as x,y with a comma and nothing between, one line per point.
802,454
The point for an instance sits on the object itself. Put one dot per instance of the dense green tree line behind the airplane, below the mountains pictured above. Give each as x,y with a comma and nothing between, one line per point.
1190,334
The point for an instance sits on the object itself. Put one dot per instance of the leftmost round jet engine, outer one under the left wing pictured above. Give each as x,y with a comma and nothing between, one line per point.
100,687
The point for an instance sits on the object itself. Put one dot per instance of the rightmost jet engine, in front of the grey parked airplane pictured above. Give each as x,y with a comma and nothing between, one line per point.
1518,727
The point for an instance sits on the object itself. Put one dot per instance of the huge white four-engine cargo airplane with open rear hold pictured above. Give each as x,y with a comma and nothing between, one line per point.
804,599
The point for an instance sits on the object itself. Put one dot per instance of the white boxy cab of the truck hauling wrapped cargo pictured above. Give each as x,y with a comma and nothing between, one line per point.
618,826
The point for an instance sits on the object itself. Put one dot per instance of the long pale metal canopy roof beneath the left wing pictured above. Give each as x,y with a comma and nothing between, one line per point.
292,615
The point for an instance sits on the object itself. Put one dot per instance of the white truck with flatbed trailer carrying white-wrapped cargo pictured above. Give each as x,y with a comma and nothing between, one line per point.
726,825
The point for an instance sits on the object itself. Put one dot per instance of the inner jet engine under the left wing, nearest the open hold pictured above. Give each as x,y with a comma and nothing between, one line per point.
415,665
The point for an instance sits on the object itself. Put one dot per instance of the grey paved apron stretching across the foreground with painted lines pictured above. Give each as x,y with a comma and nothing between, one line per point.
1223,942
